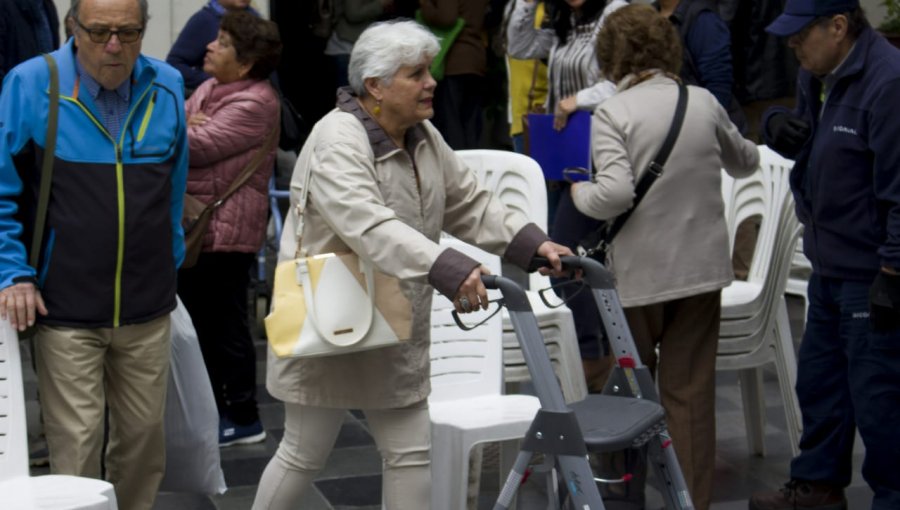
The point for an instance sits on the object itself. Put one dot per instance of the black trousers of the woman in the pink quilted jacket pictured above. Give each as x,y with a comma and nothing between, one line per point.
215,294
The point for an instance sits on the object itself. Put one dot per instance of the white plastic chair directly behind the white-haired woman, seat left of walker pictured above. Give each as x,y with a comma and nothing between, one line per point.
466,404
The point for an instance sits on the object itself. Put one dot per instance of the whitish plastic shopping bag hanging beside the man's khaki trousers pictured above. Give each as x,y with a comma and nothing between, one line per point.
191,420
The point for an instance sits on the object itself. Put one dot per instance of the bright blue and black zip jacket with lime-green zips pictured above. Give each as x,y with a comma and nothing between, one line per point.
113,236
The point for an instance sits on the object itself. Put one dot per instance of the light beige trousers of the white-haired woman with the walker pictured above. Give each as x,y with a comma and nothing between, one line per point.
403,437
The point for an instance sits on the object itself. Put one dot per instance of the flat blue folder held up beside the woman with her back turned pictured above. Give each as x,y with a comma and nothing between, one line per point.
556,150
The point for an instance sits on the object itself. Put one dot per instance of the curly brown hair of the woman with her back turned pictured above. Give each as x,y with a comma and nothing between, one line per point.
636,38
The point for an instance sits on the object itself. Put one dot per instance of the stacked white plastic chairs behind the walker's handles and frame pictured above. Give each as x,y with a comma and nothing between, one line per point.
519,183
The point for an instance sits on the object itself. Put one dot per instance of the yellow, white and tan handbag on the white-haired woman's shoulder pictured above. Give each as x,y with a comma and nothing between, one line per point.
332,304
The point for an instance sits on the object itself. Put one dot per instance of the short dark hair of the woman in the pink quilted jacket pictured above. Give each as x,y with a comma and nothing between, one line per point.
255,40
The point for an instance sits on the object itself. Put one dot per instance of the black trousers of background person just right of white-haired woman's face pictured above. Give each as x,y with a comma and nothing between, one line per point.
457,110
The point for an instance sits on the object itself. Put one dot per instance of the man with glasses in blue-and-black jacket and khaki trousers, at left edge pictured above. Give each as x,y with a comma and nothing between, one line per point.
98,283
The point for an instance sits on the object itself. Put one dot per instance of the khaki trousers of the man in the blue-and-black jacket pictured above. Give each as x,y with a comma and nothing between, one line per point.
83,371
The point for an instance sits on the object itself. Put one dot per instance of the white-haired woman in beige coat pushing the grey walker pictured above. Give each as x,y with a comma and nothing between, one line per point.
384,184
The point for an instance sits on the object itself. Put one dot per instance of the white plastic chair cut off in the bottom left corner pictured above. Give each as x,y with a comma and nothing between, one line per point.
18,490
